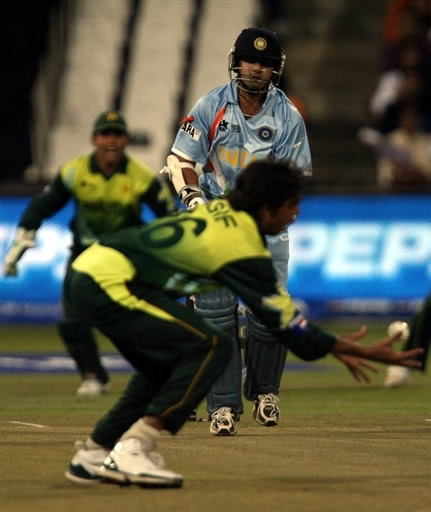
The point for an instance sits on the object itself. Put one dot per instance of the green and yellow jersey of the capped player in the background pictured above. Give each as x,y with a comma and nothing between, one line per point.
103,204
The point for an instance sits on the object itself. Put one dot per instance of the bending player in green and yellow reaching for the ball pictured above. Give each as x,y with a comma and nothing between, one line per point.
128,285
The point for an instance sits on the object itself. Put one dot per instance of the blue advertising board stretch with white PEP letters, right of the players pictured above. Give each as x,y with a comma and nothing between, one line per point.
361,255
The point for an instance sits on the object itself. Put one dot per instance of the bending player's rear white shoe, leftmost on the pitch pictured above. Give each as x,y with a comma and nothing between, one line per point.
84,468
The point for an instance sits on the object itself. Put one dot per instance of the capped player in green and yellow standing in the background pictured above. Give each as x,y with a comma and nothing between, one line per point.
108,188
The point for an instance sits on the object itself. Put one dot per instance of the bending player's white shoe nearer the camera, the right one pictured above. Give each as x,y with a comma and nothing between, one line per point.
132,462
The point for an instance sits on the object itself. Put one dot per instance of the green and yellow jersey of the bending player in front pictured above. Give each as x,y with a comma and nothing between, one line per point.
194,251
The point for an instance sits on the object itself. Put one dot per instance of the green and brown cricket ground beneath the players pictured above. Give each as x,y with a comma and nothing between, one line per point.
340,446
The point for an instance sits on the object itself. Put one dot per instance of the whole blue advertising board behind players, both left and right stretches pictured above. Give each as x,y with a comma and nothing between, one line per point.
348,255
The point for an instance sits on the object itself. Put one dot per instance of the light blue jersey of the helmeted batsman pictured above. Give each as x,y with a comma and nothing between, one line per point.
217,135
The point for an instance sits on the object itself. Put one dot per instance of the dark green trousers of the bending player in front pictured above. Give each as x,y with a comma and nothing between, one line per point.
177,354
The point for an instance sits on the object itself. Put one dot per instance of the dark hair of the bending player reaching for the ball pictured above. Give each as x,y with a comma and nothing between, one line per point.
266,183
